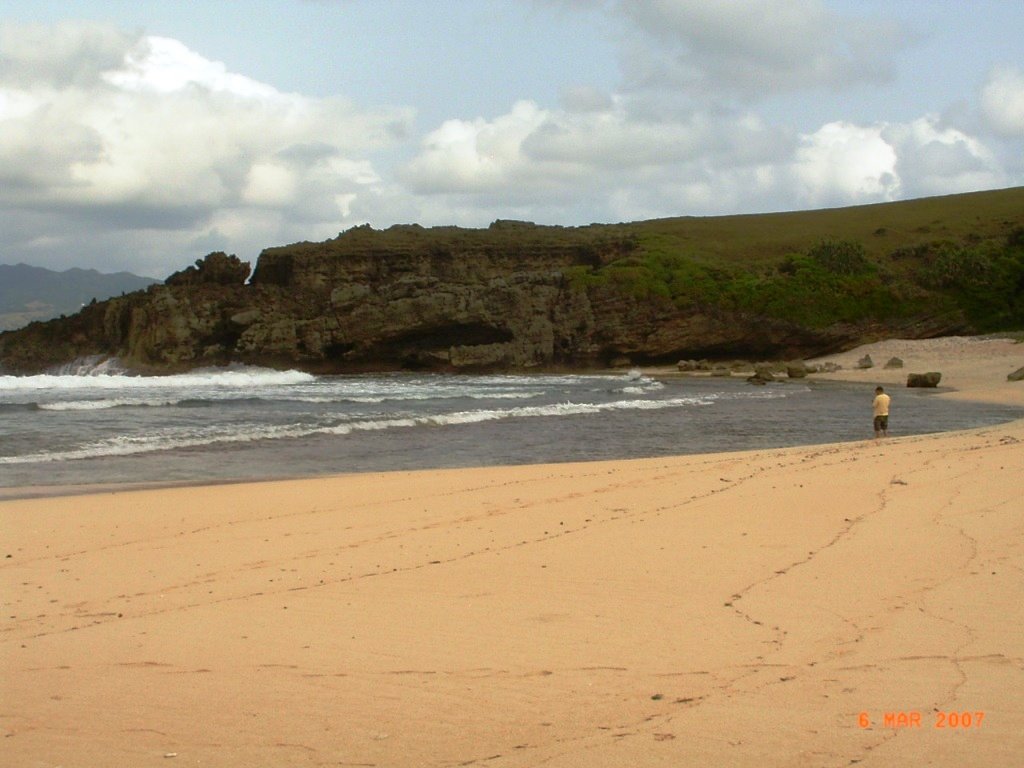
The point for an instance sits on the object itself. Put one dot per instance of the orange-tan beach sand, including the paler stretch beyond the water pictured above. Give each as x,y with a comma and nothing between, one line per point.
737,610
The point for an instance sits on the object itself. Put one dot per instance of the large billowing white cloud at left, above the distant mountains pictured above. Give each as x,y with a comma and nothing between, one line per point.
101,131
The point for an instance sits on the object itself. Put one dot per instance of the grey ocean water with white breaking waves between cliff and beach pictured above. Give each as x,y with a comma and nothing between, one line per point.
101,425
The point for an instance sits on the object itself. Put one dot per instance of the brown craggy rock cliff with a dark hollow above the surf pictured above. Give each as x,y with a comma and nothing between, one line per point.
511,297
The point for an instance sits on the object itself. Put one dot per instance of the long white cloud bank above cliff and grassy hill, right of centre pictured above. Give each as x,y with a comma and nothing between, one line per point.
561,165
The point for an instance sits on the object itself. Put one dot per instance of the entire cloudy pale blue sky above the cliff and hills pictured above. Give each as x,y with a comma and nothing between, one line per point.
144,135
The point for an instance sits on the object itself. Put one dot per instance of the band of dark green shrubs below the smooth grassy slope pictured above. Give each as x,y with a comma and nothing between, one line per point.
834,281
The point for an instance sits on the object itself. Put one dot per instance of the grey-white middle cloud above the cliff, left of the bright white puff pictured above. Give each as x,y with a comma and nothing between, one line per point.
531,151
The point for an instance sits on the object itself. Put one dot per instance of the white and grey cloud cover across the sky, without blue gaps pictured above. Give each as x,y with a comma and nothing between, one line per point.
130,150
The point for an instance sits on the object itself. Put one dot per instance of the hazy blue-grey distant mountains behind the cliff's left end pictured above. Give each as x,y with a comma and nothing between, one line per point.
32,293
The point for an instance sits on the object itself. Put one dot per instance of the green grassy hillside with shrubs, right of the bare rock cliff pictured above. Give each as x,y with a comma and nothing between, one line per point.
957,257
